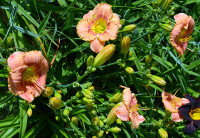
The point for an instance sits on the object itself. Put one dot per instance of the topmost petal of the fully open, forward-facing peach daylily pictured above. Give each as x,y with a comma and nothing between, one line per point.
102,10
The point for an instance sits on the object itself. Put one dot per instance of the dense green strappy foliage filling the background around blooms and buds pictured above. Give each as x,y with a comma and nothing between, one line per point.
50,26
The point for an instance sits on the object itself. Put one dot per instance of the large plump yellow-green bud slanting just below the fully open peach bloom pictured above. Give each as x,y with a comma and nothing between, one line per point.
104,55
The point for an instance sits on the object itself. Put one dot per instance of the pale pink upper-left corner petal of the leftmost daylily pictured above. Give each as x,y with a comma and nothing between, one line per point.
15,60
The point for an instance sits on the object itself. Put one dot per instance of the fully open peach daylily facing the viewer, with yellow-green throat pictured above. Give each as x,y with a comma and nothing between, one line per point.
98,26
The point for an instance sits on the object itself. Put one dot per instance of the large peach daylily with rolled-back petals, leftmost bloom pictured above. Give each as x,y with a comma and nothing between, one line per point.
27,77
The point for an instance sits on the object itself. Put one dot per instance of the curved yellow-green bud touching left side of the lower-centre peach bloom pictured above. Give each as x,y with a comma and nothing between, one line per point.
112,114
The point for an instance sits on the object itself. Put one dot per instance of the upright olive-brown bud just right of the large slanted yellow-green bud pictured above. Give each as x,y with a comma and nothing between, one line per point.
125,45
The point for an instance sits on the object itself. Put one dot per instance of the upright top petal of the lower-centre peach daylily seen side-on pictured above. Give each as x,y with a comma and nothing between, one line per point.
127,97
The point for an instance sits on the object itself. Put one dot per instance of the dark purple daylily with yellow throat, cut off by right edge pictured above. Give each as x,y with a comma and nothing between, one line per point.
191,112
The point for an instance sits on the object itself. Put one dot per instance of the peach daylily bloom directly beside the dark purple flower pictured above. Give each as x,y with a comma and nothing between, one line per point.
172,103
